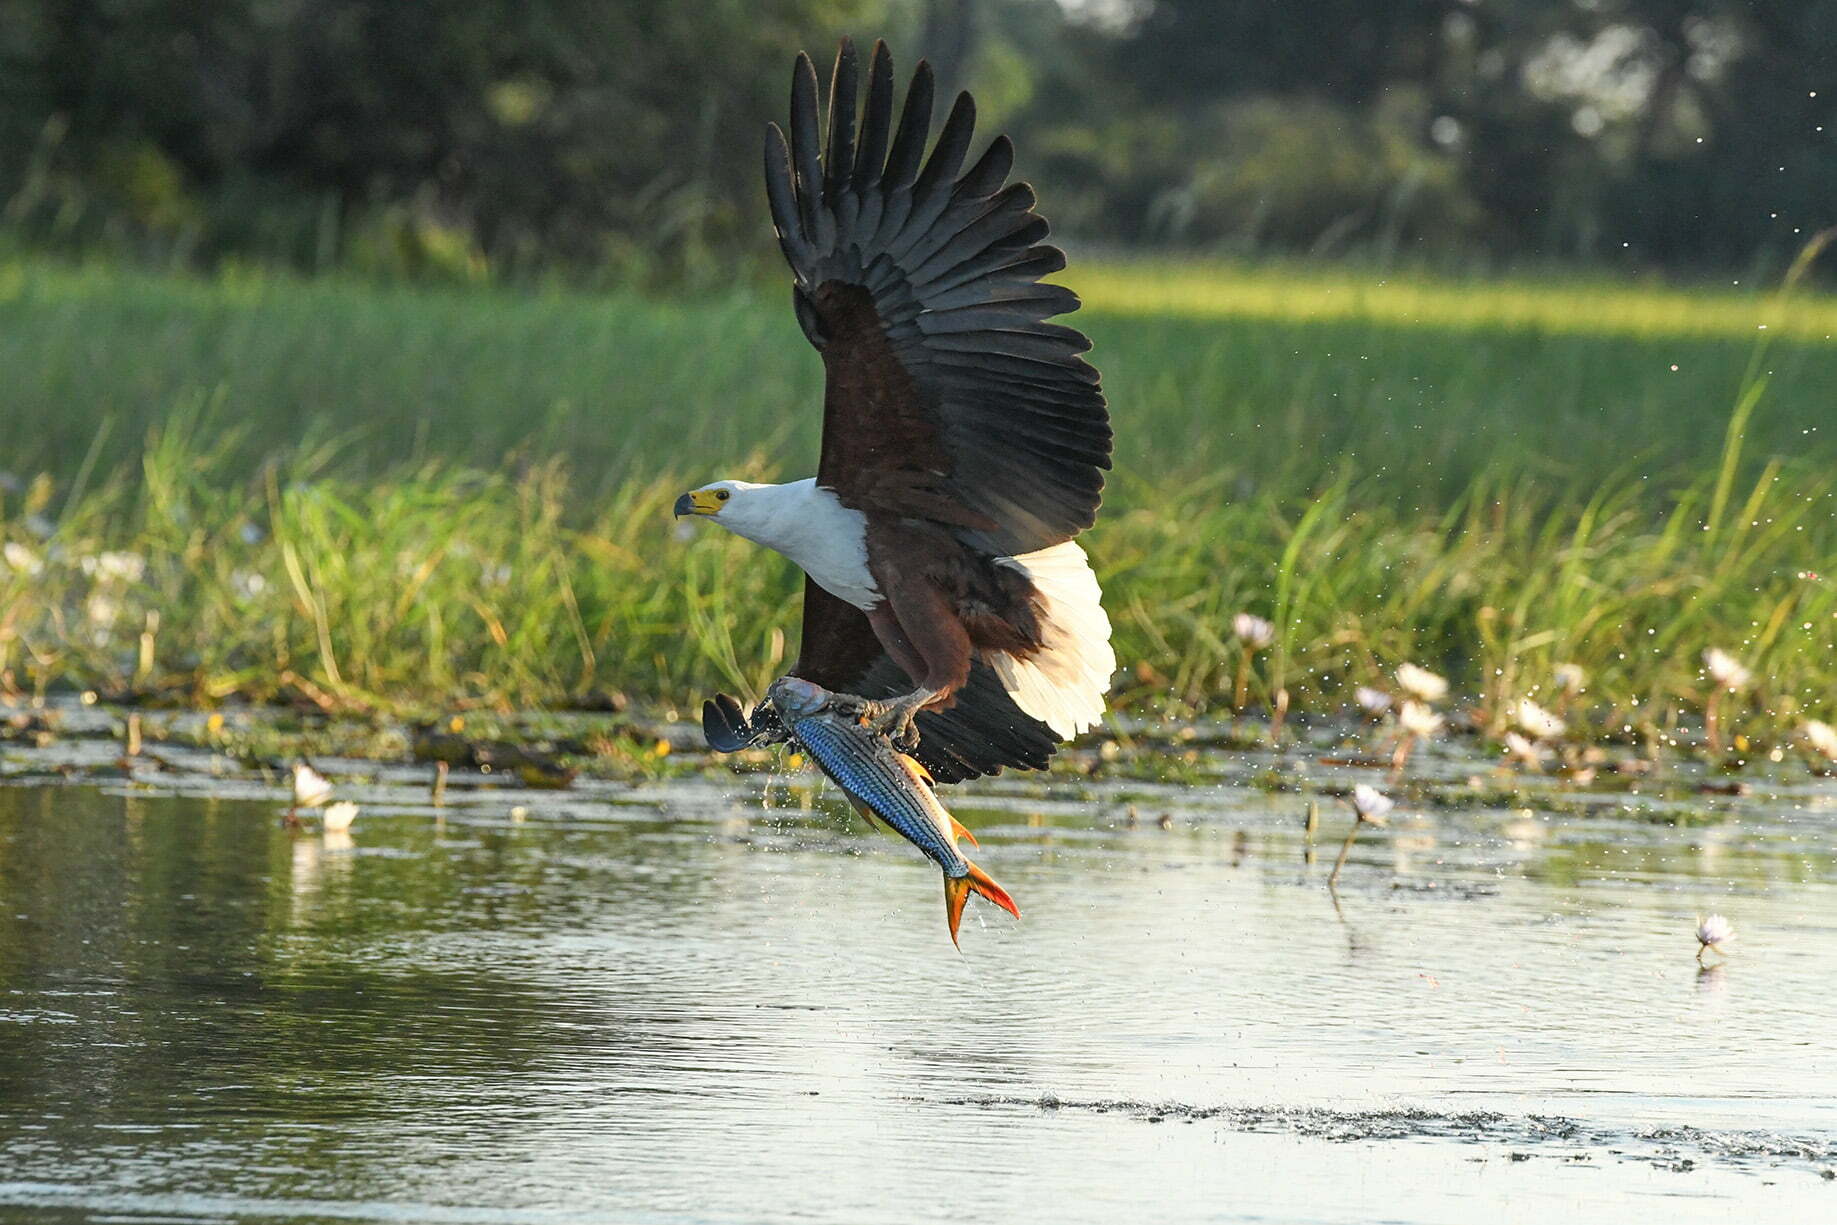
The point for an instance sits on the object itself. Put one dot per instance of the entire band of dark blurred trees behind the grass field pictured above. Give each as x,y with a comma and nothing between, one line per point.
618,137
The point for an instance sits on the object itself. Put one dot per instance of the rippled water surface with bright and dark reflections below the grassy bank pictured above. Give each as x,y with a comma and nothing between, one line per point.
679,1006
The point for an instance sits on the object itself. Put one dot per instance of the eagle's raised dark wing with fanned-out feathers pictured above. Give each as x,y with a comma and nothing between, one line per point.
949,396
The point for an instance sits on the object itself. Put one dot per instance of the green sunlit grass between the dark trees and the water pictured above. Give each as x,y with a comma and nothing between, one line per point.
378,497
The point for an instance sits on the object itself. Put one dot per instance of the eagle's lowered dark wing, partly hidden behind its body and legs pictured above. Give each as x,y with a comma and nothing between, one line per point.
978,736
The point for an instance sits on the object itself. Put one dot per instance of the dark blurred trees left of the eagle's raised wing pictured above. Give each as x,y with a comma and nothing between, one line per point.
416,137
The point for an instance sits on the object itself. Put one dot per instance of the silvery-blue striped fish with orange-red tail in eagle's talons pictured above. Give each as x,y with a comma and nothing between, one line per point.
885,783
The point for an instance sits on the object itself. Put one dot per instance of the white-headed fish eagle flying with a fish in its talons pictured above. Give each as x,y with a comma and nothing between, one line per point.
965,440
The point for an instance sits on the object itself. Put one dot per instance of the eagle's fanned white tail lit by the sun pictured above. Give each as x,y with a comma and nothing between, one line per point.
1065,684
